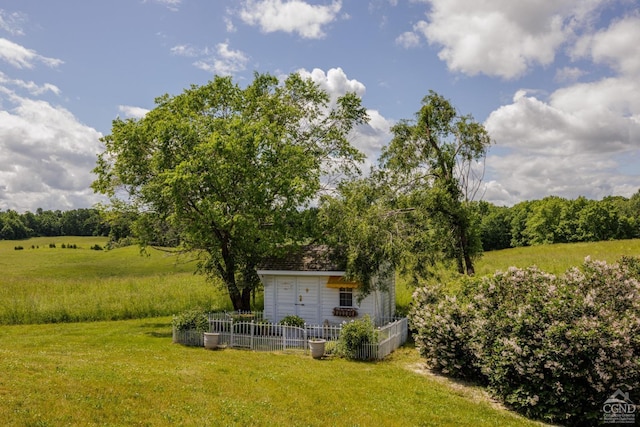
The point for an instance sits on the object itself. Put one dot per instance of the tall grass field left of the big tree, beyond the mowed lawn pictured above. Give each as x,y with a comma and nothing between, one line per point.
52,285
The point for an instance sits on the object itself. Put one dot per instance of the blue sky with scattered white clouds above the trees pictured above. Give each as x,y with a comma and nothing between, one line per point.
555,82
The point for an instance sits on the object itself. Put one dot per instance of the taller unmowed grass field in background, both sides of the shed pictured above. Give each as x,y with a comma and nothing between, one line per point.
39,284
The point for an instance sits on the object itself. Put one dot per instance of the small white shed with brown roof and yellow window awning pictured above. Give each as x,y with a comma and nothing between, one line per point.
309,283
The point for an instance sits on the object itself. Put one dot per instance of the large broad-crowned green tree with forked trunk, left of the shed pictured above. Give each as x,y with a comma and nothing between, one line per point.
231,168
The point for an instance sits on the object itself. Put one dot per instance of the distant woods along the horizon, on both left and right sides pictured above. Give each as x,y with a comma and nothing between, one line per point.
549,220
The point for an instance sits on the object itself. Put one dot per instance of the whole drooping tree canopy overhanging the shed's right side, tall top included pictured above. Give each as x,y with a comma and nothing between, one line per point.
414,210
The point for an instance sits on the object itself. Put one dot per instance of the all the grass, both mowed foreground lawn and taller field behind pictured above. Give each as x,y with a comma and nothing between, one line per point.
127,372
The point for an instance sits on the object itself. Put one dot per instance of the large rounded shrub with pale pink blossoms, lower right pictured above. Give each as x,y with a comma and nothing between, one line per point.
551,347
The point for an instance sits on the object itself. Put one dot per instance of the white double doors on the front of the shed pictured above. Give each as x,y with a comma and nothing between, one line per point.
299,296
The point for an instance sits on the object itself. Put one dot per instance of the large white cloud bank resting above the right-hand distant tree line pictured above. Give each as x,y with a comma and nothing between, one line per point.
576,143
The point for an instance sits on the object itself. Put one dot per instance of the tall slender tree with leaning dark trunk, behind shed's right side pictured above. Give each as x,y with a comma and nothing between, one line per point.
434,159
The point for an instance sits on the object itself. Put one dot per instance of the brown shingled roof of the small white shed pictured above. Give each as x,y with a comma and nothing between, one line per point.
306,258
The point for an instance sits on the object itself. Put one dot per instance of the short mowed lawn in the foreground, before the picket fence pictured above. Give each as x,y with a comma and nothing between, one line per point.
129,373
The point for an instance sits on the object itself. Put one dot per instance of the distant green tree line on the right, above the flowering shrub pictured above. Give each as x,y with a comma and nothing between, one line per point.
558,220
